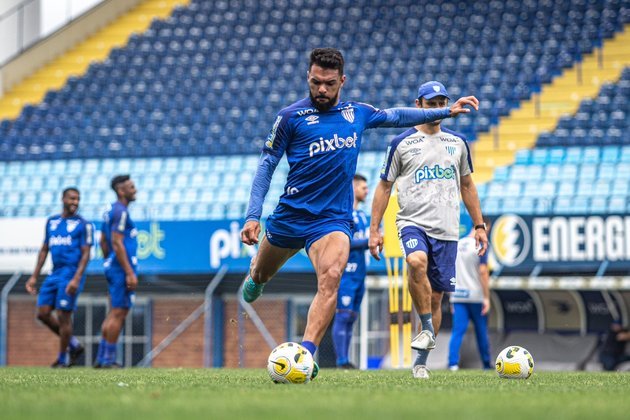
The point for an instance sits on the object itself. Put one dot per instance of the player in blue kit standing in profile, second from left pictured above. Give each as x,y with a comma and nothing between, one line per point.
119,244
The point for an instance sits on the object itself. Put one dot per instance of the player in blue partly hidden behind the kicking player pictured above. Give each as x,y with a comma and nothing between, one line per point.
352,285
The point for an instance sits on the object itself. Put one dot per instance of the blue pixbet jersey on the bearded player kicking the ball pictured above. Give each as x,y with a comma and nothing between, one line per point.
322,150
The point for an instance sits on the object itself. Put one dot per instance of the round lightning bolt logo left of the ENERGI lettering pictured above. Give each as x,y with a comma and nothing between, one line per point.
511,240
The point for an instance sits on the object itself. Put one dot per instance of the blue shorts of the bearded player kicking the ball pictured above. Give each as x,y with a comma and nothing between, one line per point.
295,231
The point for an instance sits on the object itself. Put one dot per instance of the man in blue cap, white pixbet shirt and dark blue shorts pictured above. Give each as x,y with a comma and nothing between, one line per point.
432,167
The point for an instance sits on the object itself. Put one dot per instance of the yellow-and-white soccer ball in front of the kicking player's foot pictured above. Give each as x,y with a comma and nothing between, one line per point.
290,363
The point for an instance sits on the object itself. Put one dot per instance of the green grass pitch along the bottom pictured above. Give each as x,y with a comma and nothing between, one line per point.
79,393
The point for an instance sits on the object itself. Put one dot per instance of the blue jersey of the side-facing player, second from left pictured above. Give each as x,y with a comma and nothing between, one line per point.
117,220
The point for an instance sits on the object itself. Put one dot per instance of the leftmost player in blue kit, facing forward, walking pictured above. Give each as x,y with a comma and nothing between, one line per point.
68,238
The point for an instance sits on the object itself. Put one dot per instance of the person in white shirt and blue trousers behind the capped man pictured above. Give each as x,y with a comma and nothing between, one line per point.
471,301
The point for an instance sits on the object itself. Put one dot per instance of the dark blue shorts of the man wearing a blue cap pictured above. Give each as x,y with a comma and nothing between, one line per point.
441,256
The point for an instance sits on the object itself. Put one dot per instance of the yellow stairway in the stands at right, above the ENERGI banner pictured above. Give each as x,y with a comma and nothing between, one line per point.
541,112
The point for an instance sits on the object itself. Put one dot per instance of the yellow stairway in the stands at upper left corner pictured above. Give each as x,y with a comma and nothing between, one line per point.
76,61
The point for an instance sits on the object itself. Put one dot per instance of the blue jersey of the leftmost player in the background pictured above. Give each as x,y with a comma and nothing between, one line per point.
65,238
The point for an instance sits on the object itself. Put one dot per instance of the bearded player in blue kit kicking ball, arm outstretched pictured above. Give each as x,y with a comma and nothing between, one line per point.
321,137
